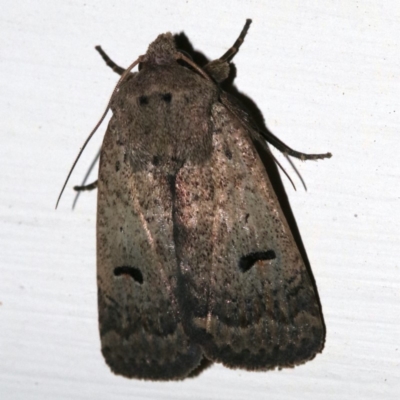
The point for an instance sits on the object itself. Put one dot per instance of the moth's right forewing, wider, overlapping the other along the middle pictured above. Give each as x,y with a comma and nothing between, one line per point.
245,291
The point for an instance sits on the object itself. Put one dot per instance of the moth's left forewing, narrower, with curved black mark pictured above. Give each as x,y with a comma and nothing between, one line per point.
140,327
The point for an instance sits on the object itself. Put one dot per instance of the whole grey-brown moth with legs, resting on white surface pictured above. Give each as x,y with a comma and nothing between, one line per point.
195,259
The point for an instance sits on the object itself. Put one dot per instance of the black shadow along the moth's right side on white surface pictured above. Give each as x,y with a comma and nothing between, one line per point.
255,114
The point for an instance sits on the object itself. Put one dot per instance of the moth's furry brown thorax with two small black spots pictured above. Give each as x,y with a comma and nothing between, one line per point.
169,118
